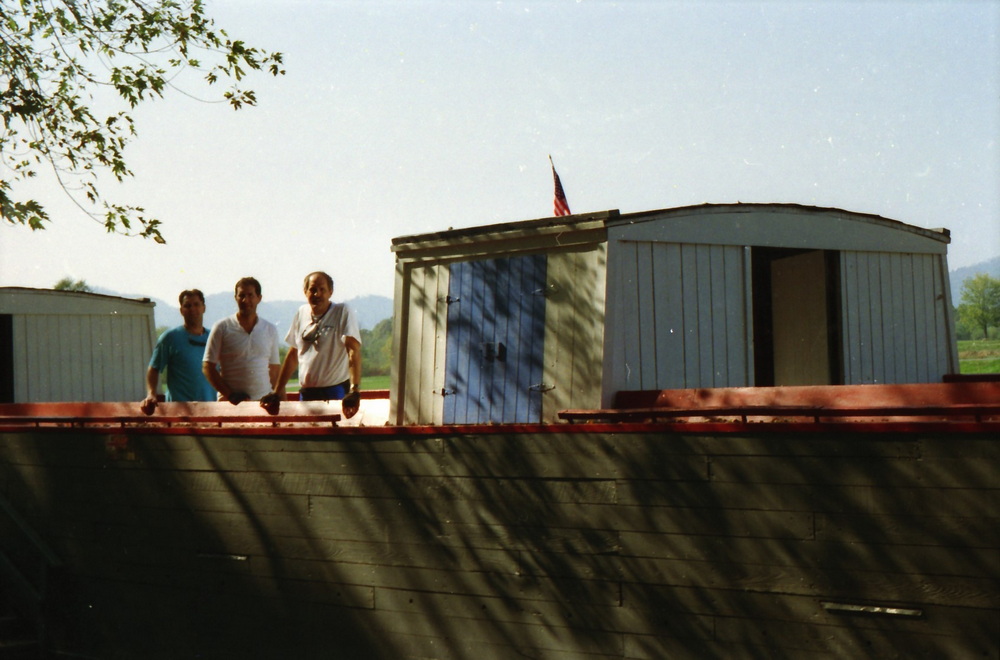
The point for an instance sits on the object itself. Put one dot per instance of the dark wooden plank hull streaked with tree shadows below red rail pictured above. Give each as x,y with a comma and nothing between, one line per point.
637,541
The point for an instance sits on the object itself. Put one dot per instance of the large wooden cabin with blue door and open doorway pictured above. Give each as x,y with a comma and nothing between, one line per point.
514,322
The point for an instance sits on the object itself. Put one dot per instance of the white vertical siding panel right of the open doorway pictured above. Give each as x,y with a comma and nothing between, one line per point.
895,318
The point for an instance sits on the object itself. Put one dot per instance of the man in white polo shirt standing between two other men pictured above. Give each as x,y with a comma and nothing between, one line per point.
241,359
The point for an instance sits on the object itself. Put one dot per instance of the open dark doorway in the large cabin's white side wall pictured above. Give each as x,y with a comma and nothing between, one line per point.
796,317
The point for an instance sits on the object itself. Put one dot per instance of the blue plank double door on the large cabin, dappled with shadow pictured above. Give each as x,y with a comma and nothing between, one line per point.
496,332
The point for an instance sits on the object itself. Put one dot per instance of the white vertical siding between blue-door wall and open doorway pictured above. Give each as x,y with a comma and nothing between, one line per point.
678,317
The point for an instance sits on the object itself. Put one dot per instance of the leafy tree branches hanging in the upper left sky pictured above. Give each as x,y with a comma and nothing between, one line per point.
55,55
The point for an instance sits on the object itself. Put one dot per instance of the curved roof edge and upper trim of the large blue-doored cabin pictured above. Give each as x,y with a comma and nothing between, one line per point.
775,225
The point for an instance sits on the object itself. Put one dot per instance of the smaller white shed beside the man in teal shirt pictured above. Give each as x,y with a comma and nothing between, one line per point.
73,346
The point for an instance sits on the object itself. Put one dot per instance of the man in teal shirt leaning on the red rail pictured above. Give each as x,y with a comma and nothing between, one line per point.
180,351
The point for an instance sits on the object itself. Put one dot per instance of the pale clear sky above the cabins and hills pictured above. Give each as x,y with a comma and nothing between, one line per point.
400,118
